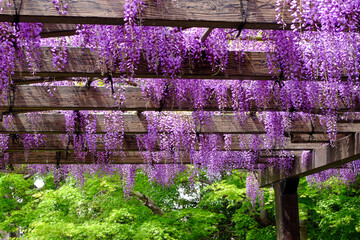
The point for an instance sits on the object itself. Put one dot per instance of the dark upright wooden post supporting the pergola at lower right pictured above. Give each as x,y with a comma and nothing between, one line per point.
286,209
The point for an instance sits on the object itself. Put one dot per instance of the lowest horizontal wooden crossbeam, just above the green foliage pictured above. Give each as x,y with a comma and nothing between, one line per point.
131,157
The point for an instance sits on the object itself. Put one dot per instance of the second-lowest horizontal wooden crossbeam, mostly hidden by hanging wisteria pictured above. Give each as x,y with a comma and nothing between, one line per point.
58,143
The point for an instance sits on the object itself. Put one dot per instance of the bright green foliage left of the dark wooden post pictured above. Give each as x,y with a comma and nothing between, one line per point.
98,210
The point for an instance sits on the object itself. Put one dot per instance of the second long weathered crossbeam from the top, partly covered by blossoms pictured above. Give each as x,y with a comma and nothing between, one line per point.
84,63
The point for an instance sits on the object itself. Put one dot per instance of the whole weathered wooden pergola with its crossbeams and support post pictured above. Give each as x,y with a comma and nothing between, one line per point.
260,14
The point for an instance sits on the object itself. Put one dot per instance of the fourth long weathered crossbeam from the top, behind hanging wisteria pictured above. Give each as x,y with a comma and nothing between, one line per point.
54,123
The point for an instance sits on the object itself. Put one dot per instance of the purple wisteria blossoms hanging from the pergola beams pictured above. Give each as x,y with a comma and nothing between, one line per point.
314,79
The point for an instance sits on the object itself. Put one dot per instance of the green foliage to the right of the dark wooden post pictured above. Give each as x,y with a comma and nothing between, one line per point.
332,211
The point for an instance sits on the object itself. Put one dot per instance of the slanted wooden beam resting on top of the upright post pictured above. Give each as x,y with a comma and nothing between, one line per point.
345,150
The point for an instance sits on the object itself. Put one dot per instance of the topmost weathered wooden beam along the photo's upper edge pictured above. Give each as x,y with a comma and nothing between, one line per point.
261,14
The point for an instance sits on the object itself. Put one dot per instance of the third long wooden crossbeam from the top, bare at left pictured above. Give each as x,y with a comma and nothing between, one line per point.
37,98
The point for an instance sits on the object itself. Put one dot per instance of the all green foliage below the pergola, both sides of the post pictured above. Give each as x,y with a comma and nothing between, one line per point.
99,210
